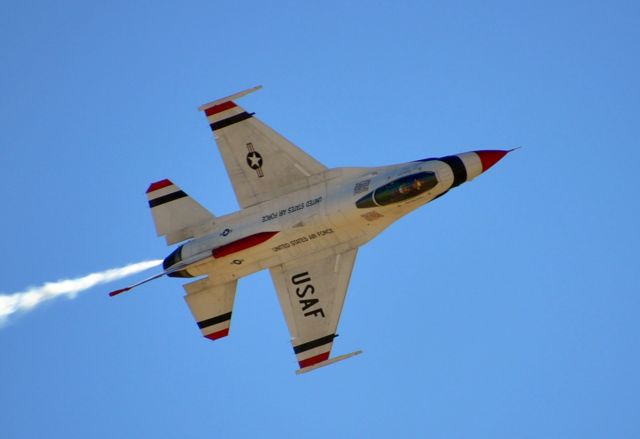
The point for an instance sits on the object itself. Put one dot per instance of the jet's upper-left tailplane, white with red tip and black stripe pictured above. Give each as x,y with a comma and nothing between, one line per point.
176,215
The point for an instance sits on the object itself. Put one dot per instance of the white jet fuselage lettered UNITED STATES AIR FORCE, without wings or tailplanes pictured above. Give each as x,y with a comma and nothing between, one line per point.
319,220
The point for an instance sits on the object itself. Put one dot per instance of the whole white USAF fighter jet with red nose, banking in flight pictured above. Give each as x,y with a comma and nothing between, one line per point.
300,220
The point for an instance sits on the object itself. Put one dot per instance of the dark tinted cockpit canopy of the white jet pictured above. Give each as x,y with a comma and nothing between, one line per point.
399,190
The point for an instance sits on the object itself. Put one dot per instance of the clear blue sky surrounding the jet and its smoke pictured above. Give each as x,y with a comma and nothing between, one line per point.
507,309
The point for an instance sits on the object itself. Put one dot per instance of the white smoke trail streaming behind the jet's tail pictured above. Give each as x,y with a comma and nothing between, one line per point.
32,297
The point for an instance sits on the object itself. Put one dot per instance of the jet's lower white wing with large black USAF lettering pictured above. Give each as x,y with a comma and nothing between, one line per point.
311,293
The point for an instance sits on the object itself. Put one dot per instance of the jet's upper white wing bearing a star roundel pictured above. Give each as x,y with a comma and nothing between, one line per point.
260,162
